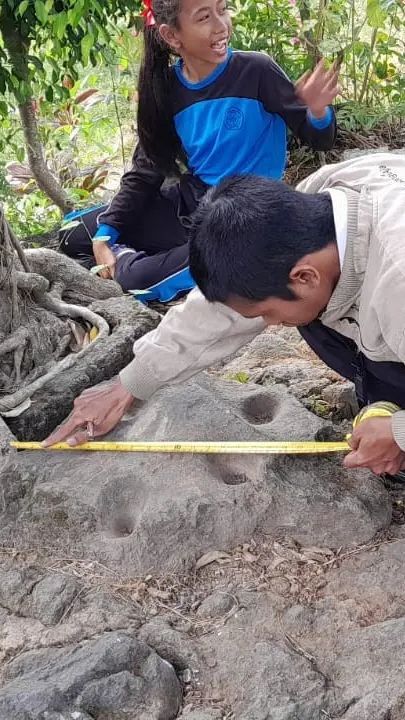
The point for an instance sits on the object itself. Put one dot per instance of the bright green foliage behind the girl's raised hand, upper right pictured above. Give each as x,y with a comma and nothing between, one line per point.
367,36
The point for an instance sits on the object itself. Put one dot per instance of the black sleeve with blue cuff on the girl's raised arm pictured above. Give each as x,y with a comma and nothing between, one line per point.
277,94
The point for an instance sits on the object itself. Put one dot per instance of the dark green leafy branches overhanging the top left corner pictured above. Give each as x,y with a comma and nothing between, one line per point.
54,38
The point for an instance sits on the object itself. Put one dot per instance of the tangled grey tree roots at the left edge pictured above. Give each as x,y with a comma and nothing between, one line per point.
32,286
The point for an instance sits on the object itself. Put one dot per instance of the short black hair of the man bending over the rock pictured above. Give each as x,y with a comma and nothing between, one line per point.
249,232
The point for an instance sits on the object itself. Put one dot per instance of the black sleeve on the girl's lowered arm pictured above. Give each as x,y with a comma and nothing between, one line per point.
137,186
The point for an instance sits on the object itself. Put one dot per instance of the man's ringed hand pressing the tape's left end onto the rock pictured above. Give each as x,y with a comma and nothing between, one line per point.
96,411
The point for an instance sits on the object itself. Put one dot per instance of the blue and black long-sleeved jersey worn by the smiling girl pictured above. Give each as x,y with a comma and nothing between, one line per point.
233,122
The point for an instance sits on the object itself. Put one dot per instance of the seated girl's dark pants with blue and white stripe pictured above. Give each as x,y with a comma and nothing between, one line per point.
159,258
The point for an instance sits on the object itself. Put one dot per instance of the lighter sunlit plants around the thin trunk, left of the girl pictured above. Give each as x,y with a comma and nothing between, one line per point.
80,134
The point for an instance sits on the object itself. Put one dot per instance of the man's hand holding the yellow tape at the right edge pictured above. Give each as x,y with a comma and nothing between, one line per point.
373,447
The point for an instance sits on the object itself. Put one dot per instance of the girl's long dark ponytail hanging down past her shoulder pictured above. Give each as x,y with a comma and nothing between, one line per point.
156,129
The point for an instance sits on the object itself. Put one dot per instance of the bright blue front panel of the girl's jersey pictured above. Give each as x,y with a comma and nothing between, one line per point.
217,137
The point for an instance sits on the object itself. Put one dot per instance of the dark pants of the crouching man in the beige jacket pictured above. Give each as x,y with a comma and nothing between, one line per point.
373,380
